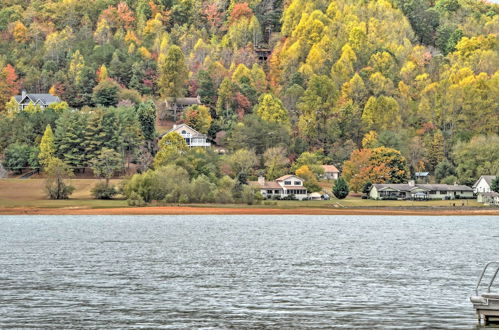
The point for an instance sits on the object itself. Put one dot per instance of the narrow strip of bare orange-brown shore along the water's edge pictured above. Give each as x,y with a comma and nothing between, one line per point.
174,210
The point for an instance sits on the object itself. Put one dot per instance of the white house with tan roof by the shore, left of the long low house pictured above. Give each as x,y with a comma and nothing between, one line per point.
281,187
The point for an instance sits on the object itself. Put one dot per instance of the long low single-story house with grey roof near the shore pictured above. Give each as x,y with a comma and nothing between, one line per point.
412,190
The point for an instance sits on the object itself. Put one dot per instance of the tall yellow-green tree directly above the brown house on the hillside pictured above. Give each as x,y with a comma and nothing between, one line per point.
173,73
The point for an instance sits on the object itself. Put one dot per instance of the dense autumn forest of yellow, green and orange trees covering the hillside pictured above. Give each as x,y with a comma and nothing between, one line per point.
287,84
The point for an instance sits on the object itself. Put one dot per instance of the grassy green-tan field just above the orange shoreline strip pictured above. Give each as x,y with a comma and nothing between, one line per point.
17,193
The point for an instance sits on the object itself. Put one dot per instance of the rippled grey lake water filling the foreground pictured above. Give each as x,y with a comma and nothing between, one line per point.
242,271
